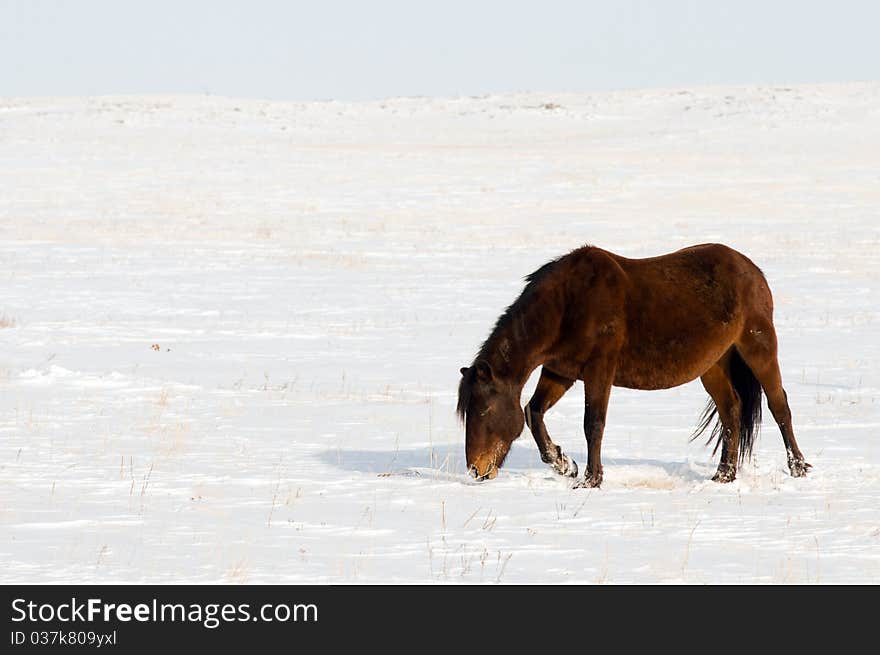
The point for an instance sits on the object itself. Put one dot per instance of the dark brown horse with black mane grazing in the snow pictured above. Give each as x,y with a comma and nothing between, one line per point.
702,312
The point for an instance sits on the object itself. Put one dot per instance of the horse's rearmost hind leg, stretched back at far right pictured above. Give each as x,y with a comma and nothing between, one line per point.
758,347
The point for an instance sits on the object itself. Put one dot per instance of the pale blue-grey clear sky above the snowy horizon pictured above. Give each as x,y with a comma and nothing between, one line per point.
329,49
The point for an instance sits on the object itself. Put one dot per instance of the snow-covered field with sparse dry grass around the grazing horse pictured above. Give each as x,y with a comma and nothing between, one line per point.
231,333
